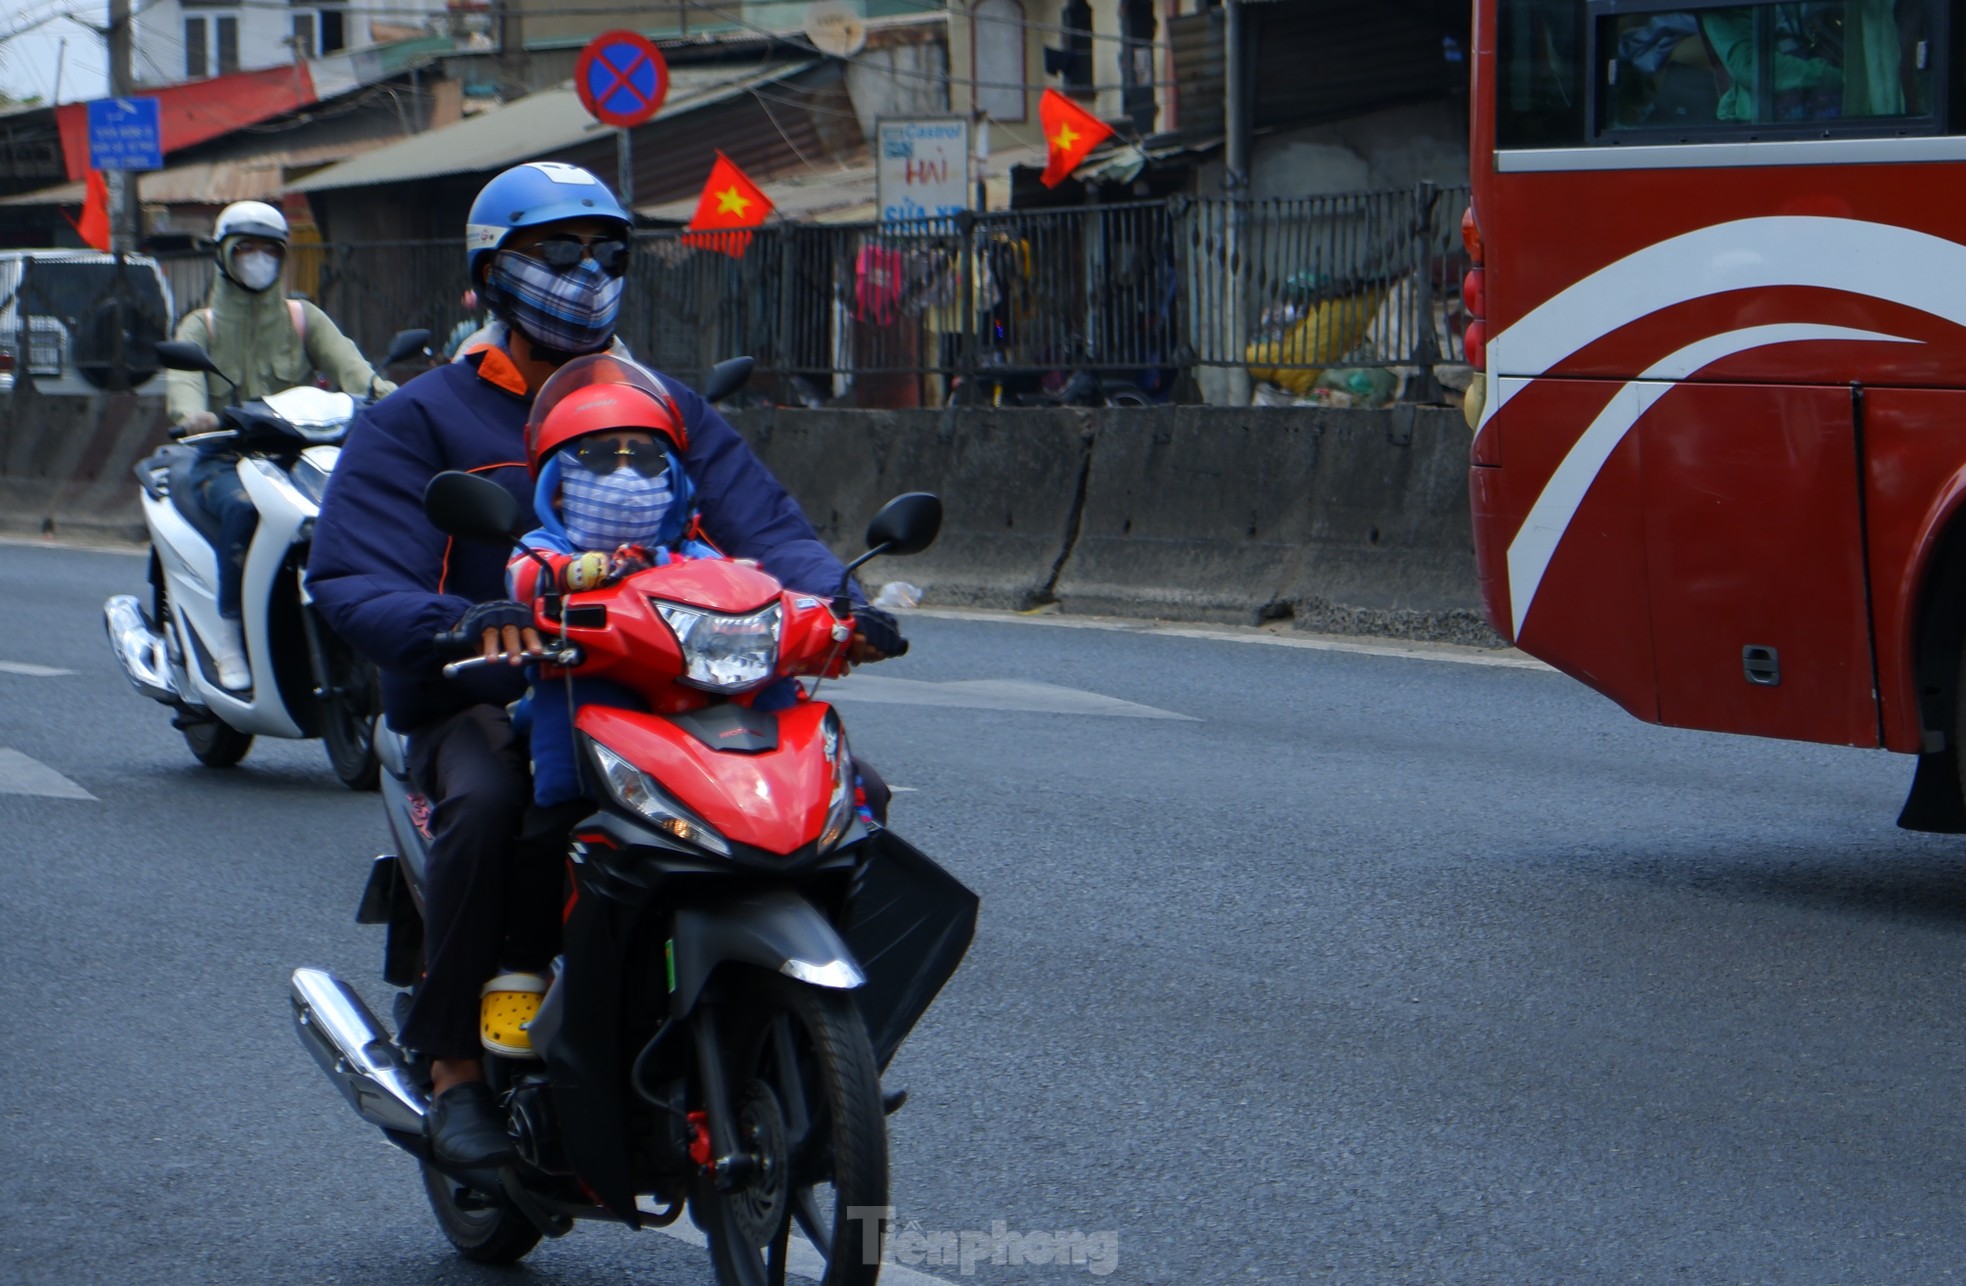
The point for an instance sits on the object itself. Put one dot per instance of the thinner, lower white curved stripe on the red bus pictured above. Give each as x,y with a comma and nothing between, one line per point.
1564,495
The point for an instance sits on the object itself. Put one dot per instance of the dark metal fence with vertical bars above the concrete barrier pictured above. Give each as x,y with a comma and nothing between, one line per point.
1092,304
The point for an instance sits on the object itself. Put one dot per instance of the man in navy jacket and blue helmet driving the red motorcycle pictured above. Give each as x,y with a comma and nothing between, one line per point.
548,251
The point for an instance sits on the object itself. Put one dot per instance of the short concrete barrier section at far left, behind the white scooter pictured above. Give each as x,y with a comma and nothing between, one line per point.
66,463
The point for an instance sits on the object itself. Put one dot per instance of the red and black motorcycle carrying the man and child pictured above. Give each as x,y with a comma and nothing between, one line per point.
744,951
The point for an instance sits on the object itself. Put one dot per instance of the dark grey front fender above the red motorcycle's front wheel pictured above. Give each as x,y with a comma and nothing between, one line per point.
772,929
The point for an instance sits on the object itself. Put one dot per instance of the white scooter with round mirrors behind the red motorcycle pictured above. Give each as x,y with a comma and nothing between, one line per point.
306,683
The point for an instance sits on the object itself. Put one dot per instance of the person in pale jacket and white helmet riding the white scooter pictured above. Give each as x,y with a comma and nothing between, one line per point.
268,343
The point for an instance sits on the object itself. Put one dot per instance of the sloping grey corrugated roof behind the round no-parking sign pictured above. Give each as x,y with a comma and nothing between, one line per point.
528,129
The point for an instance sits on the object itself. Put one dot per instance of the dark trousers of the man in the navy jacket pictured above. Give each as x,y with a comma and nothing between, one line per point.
492,888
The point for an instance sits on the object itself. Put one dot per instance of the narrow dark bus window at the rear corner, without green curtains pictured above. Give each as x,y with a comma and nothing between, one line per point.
1540,74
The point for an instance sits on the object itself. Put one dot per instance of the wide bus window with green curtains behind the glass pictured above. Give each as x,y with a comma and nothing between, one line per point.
1802,68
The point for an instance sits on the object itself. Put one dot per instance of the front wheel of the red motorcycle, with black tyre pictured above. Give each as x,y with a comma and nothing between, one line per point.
807,1098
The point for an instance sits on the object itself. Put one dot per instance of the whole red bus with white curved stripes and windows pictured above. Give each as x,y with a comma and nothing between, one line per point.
1719,469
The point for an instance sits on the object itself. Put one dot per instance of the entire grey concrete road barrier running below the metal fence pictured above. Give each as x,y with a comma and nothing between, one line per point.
1336,520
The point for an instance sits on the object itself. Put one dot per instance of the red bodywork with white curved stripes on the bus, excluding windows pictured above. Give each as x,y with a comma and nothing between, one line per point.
1672,463
